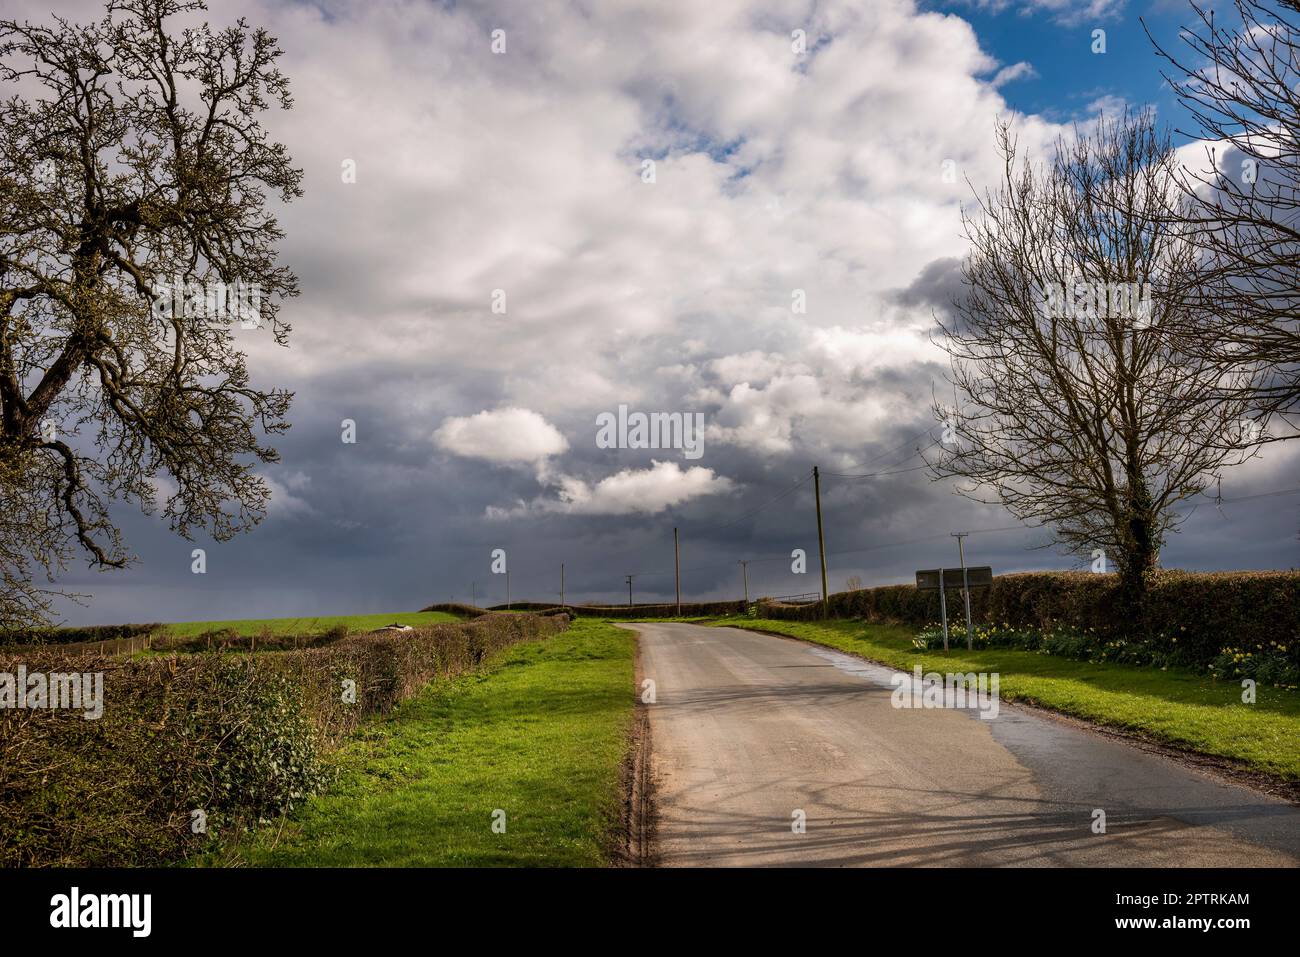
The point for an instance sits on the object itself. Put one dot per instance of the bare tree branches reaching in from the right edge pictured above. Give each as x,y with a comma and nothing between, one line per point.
1241,83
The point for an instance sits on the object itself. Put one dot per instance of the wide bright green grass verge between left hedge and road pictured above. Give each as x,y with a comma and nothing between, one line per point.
540,735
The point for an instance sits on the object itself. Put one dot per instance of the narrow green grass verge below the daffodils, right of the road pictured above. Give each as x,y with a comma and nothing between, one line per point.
1173,707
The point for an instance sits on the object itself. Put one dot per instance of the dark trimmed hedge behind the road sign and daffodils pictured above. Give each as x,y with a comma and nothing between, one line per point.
1206,612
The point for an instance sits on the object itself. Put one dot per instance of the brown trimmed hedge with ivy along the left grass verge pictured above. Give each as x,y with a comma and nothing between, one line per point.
237,737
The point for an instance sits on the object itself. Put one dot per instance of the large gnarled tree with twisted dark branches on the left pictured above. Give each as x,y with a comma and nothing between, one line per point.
135,180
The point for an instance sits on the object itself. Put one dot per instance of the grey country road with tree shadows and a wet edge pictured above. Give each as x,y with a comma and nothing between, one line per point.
749,729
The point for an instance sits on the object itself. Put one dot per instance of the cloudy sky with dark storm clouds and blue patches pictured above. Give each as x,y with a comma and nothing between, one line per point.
517,180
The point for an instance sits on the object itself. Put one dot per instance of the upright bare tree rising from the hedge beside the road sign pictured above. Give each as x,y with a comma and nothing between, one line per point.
1078,406
